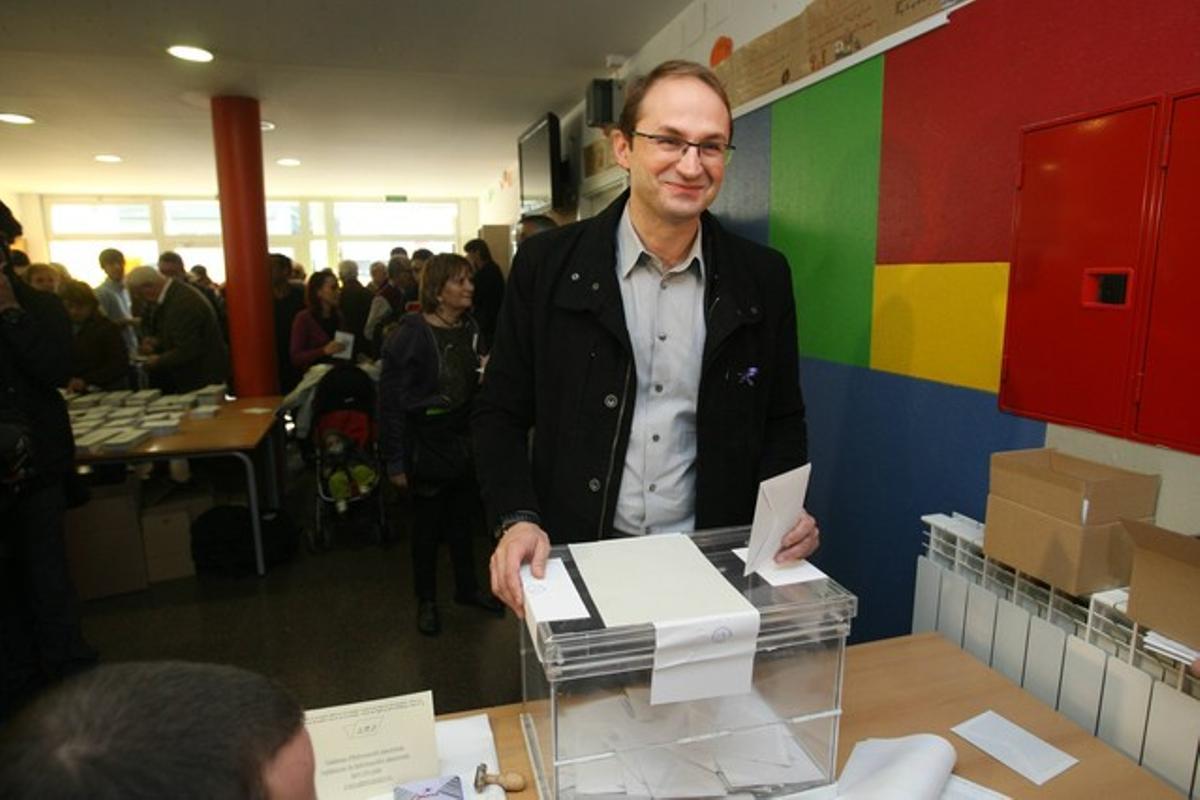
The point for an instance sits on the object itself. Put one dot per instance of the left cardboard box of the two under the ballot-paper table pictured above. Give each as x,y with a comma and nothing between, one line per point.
104,543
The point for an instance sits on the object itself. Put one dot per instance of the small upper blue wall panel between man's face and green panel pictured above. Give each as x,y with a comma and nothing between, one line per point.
745,201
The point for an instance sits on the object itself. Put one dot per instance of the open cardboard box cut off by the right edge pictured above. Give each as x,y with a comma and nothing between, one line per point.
1165,592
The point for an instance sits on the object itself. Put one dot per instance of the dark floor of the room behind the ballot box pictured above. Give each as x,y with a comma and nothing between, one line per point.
335,627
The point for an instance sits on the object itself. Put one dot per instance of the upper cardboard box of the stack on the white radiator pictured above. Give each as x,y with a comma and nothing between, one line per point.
1076,490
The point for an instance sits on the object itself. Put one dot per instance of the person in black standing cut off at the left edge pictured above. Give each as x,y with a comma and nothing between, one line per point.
40,633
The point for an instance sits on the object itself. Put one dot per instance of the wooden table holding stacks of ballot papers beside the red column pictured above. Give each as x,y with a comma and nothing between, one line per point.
237,431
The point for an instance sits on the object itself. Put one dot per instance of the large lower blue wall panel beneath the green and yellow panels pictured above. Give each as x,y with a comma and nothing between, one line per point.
887,449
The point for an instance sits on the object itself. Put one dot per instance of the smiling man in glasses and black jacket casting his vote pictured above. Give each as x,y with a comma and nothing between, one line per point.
652,353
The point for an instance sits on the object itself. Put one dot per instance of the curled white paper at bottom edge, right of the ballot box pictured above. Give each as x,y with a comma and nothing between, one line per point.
909,768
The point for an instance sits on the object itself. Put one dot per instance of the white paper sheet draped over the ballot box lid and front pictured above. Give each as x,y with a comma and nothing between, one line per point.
699,617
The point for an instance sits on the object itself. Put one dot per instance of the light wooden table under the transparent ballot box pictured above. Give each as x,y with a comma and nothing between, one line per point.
923,684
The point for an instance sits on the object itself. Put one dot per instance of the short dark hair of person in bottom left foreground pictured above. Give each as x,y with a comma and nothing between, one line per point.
151,730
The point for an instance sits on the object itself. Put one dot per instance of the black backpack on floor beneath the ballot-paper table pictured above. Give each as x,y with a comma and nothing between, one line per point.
223,540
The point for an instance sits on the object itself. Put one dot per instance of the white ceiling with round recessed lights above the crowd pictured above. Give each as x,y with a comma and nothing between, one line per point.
375,97
